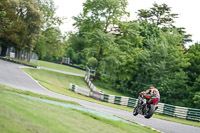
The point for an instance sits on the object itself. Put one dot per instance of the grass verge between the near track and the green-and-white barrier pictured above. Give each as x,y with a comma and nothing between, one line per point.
59,83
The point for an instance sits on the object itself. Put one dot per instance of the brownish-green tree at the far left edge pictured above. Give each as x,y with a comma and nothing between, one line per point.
21,24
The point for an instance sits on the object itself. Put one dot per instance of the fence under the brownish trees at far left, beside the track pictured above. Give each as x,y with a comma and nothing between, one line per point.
24,55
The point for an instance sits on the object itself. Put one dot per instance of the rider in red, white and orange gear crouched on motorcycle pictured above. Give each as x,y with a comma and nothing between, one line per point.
152,95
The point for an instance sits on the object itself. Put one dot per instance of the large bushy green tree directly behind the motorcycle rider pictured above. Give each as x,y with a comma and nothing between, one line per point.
161,65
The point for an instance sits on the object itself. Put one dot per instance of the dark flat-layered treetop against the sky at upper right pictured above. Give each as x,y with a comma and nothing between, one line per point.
161,16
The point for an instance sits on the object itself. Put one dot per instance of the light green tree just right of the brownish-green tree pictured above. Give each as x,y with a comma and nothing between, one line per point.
51,43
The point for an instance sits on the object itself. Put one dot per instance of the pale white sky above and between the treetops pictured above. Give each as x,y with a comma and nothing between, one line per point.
188,11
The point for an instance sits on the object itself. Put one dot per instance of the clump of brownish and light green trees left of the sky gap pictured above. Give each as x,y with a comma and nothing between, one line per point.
31,25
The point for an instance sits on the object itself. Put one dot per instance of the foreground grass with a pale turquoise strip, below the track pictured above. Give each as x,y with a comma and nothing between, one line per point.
23,115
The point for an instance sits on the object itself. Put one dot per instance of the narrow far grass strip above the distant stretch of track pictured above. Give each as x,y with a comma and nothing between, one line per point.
60,67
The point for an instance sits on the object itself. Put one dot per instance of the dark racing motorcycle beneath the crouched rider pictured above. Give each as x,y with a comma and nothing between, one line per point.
144,107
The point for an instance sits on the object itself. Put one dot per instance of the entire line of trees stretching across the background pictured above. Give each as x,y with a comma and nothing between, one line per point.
129,56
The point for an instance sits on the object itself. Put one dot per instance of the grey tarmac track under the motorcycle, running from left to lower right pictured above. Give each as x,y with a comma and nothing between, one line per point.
12,75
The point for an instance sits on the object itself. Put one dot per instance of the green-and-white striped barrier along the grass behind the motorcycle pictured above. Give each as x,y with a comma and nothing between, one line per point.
166,109
